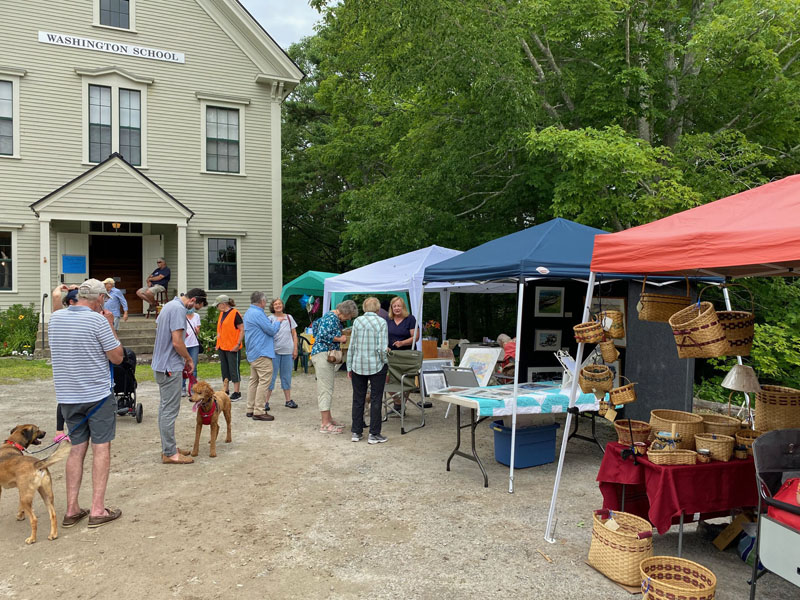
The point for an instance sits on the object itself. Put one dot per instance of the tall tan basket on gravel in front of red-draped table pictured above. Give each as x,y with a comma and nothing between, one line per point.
618,553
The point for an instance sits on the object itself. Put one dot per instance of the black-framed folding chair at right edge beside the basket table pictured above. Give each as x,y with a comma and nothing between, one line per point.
775,453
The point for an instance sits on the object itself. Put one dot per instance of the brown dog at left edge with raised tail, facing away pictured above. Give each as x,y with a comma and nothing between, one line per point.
29,474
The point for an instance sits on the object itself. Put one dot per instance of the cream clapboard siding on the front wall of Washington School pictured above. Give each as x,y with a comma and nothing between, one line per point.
51,124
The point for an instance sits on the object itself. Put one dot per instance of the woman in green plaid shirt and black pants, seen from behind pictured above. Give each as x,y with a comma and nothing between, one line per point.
366,364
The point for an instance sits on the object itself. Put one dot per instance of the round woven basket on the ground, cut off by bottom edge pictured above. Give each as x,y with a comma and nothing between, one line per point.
676,578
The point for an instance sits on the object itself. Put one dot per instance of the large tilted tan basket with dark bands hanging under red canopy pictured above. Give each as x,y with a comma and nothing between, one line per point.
698,332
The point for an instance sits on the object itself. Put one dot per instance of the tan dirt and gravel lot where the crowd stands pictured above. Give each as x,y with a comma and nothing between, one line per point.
285,512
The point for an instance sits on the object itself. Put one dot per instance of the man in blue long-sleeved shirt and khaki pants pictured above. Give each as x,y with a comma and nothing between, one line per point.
259,334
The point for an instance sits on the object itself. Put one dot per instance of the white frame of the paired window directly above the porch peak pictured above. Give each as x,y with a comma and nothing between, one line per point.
116,82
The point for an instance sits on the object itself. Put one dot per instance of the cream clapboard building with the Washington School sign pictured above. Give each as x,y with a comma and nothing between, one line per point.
134,129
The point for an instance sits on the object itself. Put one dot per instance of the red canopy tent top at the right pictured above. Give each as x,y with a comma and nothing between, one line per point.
754,233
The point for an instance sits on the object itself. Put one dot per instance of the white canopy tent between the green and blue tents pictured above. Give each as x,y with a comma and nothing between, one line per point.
405,272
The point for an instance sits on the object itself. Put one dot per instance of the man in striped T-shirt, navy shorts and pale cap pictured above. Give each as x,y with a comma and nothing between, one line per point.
82,342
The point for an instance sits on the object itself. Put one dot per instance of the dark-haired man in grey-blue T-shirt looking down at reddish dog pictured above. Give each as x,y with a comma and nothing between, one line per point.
170,356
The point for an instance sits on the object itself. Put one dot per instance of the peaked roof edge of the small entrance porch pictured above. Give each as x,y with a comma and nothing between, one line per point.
172,206
